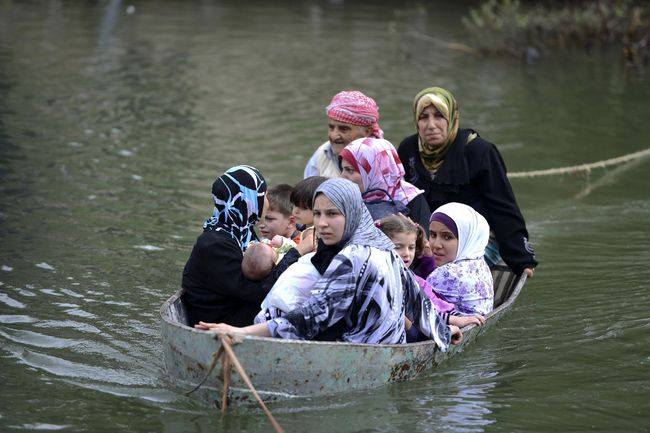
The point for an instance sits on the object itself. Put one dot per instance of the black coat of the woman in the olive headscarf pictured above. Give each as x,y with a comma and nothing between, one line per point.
474,174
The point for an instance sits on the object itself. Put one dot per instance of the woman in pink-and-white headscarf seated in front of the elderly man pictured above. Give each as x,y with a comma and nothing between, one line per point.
373,164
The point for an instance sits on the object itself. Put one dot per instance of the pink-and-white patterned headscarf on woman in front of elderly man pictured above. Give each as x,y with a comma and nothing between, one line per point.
377,161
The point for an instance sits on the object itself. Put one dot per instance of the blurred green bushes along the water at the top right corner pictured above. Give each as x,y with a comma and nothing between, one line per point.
510,27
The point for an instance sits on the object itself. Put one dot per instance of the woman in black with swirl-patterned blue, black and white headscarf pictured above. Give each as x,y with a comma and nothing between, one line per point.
215,288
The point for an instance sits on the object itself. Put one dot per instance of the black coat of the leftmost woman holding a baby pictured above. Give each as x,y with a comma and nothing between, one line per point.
215,288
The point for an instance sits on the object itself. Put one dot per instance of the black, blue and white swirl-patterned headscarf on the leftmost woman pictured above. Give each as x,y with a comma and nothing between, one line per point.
238,197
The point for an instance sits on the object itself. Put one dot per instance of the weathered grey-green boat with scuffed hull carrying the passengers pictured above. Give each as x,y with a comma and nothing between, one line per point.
283,369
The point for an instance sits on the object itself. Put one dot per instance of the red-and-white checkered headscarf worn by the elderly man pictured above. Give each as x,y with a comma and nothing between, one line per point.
355,108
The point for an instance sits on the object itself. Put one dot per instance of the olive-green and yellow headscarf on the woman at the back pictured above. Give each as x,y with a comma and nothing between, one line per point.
432,157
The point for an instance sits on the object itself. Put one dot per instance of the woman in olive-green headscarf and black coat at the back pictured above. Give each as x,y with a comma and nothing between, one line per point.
456,165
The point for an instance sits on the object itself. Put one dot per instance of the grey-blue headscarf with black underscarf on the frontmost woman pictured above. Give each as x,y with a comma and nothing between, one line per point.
359,227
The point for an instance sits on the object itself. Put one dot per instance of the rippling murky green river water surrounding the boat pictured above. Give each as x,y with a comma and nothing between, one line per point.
115,118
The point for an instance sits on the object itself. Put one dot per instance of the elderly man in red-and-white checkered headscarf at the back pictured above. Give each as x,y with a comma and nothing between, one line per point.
351,115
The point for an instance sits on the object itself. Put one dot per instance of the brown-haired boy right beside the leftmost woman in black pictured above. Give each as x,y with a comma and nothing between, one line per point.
278,219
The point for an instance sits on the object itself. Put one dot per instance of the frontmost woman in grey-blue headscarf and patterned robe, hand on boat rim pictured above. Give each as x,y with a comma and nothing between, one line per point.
365,290
